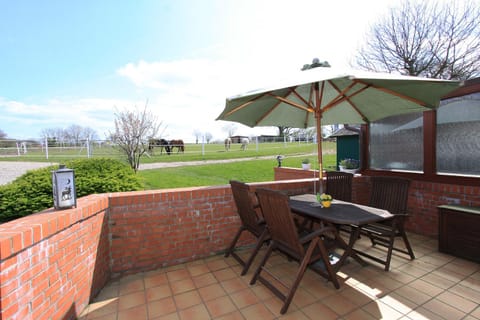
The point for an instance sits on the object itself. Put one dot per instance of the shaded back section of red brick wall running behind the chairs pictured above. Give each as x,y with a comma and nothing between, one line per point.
166,227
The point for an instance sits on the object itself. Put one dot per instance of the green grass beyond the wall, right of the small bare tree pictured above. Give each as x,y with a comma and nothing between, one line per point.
258,167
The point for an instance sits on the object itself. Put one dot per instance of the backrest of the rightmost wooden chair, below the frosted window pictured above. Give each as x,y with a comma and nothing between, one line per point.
390,193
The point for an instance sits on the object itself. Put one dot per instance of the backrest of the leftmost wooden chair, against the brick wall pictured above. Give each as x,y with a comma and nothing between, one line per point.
245,202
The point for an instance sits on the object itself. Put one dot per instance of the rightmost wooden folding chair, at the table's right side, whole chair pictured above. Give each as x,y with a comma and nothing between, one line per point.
389,193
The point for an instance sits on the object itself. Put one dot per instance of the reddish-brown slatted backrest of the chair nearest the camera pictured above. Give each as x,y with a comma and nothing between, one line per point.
279,219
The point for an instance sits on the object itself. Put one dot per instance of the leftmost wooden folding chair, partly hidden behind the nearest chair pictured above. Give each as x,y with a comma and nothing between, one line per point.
252,222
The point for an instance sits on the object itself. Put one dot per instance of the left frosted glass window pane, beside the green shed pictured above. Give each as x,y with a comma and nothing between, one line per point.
396,143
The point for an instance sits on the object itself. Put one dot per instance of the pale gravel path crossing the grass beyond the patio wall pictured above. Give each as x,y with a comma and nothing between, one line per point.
10,170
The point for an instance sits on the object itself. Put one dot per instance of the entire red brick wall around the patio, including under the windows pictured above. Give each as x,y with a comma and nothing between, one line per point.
52,263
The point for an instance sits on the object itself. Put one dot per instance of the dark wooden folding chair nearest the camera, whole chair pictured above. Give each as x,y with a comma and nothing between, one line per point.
307,250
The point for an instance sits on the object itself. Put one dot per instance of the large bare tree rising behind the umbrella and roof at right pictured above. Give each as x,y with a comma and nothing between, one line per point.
426,38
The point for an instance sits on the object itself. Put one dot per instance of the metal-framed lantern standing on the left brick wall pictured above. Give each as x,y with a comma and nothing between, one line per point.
64,192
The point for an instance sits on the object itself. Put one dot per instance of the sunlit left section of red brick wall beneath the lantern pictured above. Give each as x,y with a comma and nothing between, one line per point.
52,262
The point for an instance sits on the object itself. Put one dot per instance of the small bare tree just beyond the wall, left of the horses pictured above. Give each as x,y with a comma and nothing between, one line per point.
133,129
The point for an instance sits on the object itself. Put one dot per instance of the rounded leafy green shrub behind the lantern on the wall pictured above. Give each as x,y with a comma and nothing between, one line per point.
32,192
